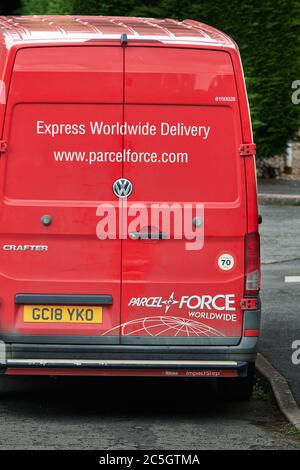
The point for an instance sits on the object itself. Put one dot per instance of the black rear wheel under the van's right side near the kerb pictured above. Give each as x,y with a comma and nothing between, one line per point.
238,389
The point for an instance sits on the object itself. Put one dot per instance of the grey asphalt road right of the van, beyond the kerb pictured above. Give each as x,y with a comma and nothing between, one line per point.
280,236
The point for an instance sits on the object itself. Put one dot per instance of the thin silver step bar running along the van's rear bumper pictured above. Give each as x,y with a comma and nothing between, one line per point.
122,364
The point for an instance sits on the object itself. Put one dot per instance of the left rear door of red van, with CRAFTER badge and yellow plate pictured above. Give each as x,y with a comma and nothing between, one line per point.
58,279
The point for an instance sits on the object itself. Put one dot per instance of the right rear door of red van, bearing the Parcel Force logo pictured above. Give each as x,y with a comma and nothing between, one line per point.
171,294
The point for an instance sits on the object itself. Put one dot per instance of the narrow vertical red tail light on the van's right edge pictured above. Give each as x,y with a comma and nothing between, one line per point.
252,264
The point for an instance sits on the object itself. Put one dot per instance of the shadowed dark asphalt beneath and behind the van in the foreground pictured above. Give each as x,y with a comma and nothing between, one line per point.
97,413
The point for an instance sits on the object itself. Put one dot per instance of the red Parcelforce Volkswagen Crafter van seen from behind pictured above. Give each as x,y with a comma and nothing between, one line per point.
104,121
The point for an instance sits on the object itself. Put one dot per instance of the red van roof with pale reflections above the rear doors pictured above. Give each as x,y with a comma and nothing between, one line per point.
33,29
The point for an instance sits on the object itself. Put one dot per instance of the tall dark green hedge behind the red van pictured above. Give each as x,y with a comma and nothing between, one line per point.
268,33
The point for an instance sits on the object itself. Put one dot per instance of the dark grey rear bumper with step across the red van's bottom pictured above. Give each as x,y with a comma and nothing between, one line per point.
65,359
